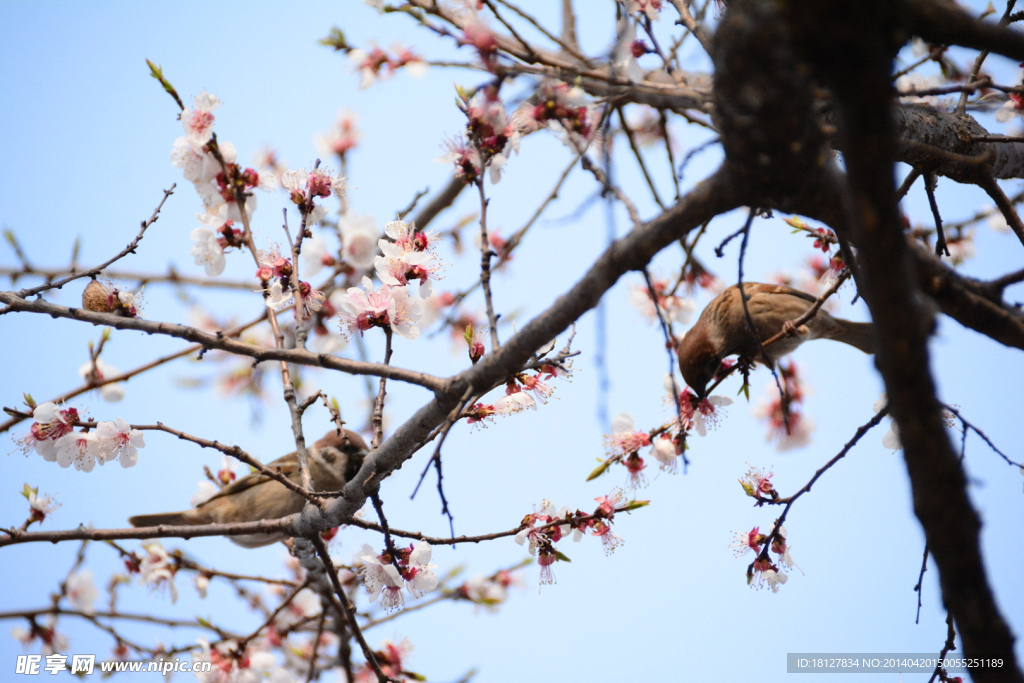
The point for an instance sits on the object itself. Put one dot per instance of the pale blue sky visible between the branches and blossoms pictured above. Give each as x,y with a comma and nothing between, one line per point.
87,151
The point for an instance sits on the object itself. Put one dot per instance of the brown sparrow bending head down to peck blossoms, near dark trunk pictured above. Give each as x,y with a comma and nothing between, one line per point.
722,330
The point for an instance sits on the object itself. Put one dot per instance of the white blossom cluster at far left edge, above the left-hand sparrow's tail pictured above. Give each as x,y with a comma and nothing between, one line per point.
53,436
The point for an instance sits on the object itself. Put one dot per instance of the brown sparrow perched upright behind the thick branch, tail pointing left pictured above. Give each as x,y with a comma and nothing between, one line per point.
333,460
